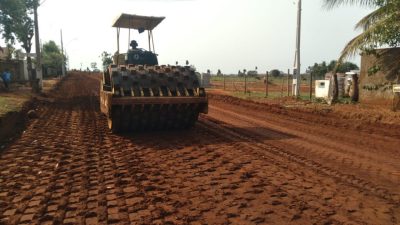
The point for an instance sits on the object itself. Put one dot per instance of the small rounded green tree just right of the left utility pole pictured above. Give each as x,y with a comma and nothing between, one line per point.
52,56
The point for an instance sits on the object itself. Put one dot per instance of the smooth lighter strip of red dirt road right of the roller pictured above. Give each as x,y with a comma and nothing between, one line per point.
362,154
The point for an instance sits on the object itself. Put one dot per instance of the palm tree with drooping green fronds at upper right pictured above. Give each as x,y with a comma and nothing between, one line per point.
380,28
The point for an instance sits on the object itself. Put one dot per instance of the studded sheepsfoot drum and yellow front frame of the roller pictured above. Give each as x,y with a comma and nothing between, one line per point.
137,98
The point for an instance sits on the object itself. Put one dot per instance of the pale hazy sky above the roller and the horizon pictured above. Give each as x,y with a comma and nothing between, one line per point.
229,35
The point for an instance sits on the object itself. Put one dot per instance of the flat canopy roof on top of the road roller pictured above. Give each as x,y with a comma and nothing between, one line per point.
137,22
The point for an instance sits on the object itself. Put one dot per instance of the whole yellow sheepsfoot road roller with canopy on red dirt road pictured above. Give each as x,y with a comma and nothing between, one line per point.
138,94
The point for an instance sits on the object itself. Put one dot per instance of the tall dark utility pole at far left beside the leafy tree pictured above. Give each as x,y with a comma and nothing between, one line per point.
37,78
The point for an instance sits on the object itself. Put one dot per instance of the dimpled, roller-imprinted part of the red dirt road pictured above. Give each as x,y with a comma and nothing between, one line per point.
68,168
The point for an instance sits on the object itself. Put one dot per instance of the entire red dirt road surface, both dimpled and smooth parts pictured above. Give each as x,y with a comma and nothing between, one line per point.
243,163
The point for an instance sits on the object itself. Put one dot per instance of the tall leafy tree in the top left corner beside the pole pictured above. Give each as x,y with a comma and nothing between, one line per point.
16,24
